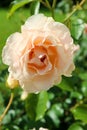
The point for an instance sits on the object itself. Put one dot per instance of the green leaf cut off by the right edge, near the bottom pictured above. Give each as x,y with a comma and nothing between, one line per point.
80,112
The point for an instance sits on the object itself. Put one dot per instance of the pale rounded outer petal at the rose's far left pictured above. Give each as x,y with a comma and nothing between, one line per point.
14,48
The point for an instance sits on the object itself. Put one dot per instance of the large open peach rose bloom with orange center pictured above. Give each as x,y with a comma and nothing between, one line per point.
40,54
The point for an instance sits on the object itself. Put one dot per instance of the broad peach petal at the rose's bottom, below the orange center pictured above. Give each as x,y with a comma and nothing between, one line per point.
47,81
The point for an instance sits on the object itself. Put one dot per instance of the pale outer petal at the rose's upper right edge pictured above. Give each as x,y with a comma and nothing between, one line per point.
60,33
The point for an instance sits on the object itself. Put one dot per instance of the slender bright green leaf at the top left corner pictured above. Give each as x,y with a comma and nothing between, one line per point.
18,5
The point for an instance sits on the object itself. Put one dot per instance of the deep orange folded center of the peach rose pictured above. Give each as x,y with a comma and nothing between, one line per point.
38,58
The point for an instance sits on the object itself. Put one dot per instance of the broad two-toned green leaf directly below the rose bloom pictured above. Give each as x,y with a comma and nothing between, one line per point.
36,105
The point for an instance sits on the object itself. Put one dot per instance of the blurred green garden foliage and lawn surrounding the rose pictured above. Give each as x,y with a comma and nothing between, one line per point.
63,107
